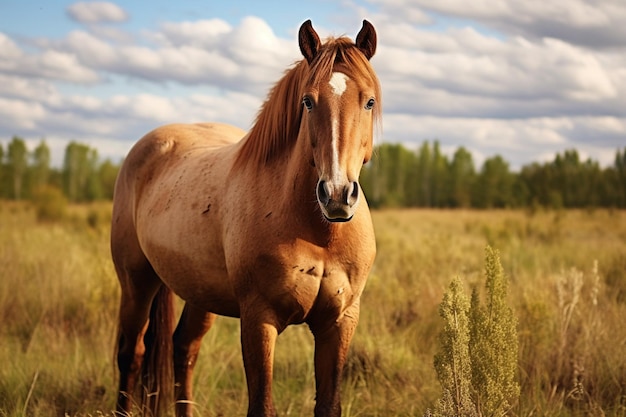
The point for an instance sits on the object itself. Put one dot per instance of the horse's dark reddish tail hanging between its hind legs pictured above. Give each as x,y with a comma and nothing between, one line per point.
157,380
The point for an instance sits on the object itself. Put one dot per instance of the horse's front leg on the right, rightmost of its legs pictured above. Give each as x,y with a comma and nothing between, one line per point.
332,342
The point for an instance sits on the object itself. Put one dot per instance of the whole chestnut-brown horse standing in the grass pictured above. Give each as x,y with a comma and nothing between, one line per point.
269,226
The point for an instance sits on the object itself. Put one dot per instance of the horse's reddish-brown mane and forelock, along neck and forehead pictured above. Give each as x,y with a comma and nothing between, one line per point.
278,122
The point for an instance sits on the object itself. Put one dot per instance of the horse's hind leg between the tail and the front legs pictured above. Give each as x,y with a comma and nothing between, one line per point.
193,325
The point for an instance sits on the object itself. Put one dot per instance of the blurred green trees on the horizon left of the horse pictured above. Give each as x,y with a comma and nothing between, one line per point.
25,173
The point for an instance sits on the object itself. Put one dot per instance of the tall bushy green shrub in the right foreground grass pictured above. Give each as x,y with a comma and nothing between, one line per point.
477,358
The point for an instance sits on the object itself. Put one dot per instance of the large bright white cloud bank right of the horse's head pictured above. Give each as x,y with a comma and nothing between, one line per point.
474,75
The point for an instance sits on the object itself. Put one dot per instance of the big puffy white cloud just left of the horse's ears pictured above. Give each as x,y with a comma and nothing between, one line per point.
248,57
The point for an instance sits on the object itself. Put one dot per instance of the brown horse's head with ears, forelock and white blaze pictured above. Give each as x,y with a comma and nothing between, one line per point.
340,100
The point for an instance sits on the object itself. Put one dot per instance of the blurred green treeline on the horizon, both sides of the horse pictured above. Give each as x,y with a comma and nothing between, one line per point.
396,177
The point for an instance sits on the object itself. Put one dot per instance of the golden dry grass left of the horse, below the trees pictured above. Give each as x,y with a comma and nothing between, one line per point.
57,300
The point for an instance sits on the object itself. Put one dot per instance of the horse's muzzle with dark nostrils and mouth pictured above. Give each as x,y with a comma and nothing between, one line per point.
338,202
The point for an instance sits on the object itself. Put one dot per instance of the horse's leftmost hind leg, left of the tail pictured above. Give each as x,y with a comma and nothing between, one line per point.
133,323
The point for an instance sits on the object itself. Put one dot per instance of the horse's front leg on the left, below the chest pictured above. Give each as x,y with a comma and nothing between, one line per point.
258,339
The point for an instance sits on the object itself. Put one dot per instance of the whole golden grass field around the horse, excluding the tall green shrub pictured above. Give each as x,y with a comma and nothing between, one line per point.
567,272
